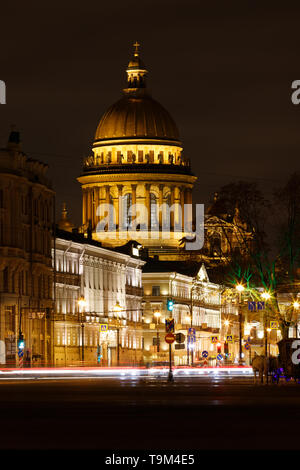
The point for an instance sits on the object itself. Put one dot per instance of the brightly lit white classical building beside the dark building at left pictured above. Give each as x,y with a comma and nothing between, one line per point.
98,294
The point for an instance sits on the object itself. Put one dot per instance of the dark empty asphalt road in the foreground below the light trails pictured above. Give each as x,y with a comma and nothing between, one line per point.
148,413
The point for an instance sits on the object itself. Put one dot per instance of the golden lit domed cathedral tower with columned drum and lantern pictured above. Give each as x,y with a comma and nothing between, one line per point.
137,180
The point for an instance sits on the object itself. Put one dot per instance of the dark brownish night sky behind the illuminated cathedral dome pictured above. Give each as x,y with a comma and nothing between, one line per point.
222,69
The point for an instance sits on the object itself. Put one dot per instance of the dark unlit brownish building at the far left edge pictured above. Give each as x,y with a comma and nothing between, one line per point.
26,221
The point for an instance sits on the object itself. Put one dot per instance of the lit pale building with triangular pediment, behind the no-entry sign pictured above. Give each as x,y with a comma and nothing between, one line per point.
197,305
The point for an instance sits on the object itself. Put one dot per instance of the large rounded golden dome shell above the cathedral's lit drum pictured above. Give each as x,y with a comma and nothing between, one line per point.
136,116
